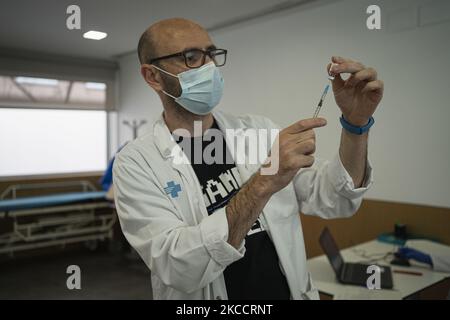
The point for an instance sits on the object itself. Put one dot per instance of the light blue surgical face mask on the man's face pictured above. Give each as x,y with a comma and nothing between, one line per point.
201,88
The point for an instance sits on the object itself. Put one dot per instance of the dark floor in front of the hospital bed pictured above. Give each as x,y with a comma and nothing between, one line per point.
104,275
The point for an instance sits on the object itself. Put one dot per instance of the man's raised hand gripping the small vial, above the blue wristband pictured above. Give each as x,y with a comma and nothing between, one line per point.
360,94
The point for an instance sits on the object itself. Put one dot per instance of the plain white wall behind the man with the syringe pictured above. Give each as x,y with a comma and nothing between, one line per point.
276,67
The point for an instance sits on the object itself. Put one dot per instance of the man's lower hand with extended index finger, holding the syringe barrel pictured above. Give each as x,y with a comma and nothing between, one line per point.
296,144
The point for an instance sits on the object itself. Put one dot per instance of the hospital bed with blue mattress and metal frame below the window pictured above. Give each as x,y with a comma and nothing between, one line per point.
63,213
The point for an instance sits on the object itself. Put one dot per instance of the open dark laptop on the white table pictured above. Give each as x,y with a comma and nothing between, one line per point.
351,273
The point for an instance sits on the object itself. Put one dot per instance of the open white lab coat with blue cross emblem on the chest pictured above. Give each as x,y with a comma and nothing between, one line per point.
185,248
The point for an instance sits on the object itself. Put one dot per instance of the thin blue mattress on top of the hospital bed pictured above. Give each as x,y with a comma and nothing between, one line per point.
52,200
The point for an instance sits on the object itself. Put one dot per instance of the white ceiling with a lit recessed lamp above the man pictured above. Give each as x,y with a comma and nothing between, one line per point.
40,26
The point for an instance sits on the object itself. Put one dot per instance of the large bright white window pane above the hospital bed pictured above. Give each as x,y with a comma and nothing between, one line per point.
50,141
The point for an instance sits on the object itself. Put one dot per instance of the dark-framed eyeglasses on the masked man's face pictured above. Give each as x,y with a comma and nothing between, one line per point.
195,58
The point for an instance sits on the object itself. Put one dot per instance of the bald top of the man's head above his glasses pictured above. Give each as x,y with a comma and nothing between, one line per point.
170,36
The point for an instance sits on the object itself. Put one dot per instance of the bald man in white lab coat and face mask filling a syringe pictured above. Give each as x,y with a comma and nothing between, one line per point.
225,230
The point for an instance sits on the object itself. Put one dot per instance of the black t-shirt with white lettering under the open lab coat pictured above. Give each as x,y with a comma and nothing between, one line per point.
257,275
